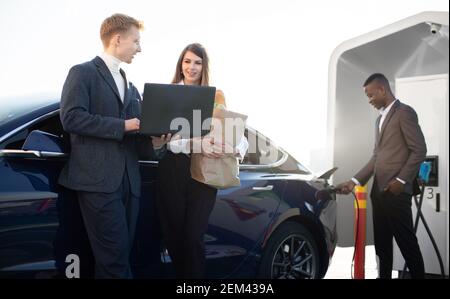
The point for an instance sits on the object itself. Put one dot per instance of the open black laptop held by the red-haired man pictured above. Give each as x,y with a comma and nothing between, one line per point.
175,108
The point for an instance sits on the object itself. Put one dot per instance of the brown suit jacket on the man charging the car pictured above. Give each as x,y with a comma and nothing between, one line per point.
399,149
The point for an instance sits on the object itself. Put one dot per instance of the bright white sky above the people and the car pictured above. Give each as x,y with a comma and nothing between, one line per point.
269,57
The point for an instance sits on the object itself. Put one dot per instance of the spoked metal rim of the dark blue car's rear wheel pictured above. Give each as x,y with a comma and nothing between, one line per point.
294,259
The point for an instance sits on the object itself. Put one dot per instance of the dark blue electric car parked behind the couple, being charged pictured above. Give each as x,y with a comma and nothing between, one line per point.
272,226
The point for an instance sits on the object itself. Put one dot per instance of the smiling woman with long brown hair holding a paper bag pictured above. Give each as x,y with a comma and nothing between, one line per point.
184,204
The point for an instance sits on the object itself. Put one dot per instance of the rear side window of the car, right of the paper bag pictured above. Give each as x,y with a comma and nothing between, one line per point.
261,151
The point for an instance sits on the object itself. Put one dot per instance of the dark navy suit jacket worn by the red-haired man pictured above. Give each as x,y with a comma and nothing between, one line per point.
93,114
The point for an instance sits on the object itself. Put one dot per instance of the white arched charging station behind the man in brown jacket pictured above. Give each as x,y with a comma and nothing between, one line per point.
414,54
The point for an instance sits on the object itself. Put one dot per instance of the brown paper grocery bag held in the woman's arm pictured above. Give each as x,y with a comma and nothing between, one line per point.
227,127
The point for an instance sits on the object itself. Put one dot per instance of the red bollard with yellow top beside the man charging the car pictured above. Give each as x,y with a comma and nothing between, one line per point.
360,231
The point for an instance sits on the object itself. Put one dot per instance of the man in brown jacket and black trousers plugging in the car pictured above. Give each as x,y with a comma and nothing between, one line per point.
399,150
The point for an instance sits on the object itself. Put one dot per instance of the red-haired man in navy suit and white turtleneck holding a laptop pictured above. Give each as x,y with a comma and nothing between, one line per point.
100,110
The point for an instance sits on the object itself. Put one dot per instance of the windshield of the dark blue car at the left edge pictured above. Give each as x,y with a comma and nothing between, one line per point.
15,107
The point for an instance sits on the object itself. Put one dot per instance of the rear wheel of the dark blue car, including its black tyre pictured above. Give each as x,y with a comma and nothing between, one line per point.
290,253
